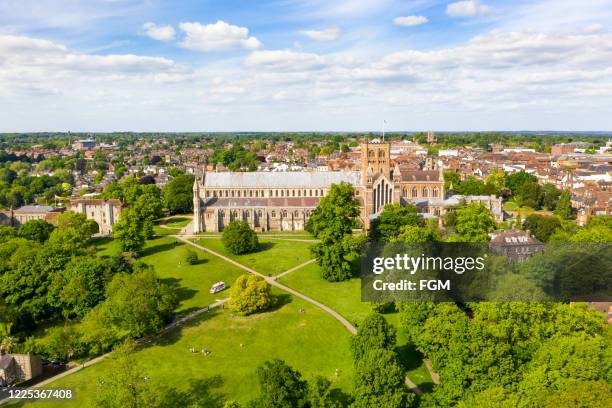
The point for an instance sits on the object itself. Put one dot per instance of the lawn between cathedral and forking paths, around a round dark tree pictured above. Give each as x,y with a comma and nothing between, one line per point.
274,257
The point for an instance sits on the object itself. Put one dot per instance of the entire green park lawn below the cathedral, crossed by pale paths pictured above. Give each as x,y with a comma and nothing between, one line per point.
312,342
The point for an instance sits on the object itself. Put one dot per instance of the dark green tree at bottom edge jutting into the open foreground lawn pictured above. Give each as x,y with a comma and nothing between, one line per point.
280,386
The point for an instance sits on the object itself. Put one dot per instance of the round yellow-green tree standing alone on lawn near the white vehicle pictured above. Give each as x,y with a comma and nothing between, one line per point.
250,294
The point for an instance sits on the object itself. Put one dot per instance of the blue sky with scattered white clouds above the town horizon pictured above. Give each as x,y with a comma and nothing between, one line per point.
305,65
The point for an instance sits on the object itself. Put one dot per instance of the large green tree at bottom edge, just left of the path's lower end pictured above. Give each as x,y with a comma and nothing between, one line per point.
379,381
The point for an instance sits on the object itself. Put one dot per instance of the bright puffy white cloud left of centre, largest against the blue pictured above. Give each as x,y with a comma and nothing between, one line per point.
216,37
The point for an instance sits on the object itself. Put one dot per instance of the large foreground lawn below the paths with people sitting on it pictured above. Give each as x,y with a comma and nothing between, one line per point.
312,342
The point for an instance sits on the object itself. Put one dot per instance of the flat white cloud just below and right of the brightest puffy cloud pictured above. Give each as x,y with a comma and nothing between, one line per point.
285,61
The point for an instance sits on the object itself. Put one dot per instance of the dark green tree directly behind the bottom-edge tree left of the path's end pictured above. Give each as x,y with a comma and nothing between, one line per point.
373,333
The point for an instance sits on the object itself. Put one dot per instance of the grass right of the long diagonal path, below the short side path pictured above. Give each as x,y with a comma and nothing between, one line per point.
345,298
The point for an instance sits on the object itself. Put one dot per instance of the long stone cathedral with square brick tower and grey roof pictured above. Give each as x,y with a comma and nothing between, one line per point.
284,201
